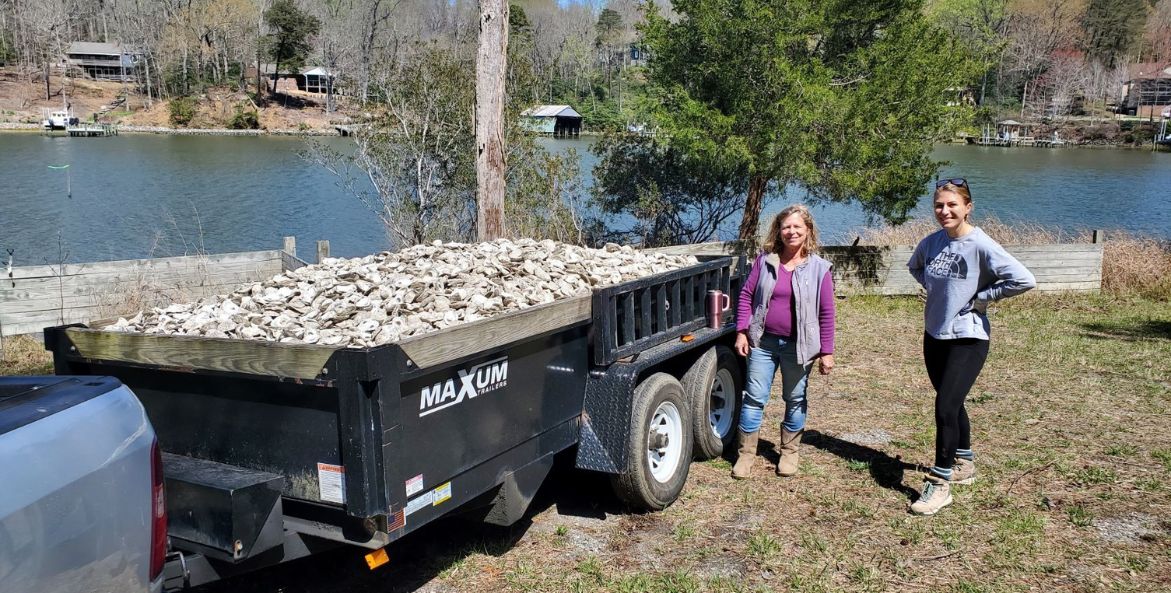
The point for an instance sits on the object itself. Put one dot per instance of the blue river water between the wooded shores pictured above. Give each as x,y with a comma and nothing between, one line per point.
139,196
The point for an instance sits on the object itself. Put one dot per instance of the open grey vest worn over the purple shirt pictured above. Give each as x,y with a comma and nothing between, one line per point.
807,281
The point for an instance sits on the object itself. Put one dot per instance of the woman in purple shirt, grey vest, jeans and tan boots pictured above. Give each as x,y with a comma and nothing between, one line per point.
785,318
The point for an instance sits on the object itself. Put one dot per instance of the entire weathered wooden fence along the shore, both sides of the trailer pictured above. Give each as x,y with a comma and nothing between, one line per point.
37,297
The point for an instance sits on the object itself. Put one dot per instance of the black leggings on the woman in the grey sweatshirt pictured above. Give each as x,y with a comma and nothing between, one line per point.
953,366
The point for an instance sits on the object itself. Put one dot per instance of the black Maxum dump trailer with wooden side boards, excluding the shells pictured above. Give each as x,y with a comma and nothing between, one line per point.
273,452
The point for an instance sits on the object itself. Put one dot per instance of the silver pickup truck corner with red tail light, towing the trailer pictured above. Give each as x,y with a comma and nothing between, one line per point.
81,488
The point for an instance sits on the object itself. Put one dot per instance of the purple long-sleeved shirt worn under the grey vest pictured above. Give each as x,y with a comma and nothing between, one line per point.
782,318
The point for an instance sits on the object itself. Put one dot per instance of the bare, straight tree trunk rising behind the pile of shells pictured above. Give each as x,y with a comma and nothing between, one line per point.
490,110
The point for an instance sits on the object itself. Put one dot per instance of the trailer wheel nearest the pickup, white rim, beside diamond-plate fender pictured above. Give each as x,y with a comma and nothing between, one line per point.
660,447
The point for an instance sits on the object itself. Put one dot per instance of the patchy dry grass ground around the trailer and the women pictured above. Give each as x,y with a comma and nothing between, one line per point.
1070,425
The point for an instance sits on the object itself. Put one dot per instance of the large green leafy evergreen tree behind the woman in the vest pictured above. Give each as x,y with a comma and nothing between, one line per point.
841,98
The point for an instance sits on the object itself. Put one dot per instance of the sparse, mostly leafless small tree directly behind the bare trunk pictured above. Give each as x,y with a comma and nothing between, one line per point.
415,165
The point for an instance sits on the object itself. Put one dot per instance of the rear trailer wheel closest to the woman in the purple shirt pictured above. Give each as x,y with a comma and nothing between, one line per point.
716,390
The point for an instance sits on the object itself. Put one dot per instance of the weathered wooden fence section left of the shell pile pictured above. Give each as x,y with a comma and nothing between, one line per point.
33,298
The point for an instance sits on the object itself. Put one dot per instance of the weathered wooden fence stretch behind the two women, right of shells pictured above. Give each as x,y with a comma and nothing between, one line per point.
882,270
